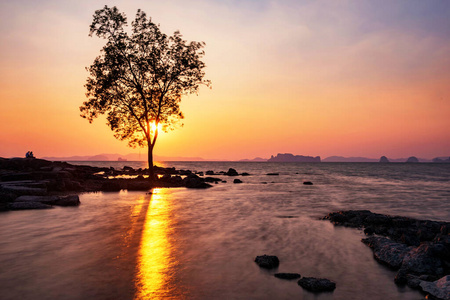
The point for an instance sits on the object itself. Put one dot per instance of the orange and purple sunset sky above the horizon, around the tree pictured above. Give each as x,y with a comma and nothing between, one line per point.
308,77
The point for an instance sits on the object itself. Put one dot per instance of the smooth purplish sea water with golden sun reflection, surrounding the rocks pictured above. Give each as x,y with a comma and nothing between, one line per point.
200,244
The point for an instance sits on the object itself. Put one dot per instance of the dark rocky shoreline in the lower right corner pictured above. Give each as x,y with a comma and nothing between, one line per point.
419,250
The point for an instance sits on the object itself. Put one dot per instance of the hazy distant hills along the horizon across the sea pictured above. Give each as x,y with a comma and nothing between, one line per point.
280,157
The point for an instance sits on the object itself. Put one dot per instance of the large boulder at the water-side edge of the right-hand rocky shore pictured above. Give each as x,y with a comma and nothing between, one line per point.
387,251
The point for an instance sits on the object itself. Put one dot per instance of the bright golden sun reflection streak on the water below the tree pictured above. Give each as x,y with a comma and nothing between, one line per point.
155,260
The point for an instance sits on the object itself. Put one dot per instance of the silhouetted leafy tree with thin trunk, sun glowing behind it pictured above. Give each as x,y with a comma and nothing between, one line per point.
138,79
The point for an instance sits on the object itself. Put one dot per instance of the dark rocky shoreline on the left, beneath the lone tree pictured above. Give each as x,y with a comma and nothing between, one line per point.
31,183
